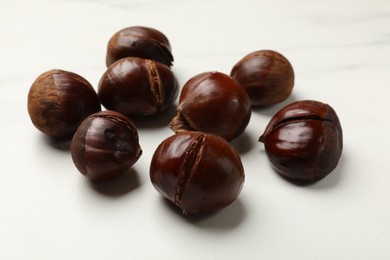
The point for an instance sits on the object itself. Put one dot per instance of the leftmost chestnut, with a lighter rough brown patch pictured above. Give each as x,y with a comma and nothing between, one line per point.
58,101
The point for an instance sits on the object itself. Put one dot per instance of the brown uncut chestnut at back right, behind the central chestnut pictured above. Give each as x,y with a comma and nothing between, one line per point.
267,76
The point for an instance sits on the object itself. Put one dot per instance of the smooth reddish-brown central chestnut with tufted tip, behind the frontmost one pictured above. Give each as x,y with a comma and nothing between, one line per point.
215,103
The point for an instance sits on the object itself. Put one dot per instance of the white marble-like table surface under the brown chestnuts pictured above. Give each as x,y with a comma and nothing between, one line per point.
340,51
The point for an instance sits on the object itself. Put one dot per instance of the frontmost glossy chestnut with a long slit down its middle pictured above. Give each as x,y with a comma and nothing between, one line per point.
197,171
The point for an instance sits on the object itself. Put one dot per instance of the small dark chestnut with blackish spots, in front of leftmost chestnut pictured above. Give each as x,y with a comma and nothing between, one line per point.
105,145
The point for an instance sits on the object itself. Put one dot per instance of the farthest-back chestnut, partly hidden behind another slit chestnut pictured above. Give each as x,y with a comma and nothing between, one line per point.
139,41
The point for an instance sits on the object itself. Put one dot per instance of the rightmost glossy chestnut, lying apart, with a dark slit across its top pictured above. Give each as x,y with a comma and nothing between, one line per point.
304,141
